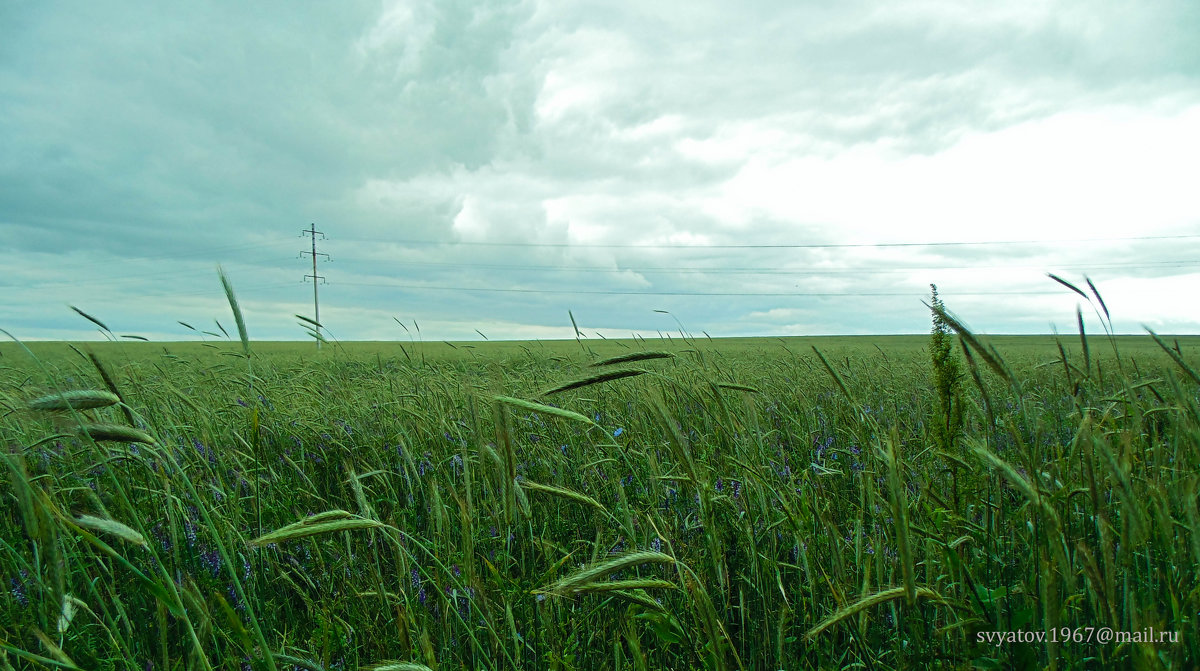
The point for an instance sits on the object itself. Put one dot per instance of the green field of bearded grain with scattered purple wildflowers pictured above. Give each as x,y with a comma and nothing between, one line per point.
776,504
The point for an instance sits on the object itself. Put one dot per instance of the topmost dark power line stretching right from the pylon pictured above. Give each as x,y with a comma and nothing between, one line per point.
806,247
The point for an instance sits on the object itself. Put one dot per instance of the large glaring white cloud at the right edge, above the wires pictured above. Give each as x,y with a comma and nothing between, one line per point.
1106,173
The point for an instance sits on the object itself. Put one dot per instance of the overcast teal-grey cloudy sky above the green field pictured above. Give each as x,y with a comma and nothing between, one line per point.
482,169
